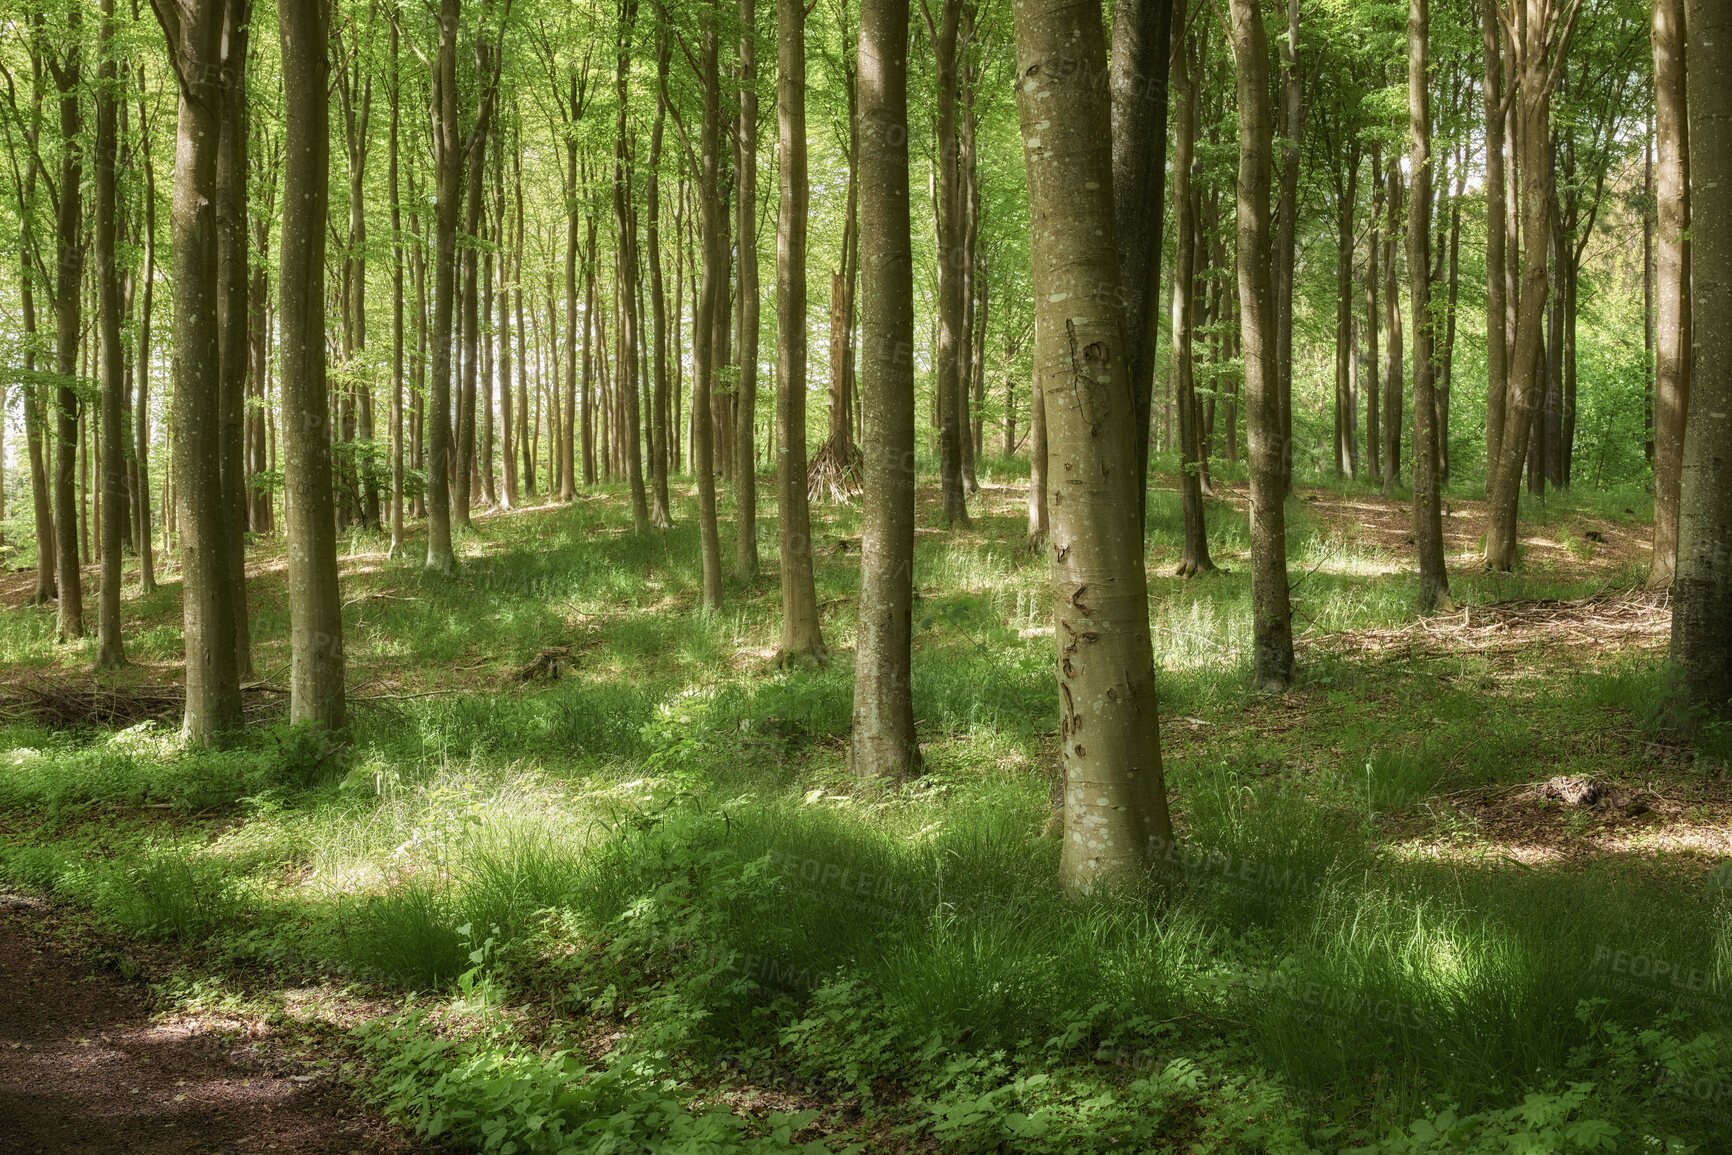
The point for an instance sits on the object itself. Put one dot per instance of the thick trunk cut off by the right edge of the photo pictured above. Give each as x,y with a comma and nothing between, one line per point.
1702,593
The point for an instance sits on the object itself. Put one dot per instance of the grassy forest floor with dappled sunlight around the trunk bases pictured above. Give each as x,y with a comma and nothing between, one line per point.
590,868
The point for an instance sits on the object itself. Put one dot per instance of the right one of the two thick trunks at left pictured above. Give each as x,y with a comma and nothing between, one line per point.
316,612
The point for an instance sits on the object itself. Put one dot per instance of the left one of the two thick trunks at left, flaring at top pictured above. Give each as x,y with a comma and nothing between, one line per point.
214,683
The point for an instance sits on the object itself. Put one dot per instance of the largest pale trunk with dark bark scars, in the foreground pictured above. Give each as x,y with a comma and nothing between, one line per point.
1116,804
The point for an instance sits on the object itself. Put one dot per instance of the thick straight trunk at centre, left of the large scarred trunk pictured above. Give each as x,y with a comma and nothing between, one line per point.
884,707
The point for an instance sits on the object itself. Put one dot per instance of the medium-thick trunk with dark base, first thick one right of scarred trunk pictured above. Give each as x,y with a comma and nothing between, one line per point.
1272,661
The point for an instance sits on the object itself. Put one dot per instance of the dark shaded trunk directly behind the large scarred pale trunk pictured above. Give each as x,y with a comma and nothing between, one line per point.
1142,46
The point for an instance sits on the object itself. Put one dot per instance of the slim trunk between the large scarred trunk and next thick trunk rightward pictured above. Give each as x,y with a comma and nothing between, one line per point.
1196,558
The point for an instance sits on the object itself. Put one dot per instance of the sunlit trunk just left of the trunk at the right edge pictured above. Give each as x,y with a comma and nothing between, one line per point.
1672,278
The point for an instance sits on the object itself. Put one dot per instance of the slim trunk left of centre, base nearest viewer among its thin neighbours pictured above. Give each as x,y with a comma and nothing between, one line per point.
709,306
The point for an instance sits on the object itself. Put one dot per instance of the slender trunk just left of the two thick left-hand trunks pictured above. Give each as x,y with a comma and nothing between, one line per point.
112,650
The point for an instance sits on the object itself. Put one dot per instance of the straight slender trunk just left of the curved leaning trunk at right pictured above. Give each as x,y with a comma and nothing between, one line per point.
1428,489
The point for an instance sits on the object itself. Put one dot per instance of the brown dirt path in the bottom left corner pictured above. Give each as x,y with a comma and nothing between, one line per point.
86,1071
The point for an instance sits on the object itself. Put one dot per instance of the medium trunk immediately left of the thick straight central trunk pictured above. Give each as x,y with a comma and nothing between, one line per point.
801,633
